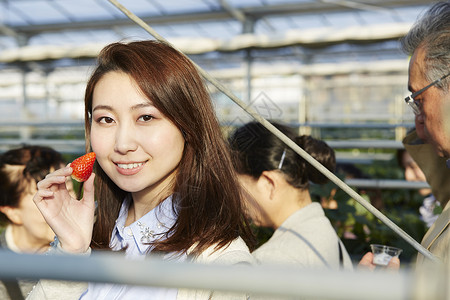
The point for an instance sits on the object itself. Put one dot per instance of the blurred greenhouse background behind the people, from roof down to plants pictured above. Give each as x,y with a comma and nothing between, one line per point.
330,69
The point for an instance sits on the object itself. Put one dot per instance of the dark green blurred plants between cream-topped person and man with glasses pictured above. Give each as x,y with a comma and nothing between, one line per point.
358,228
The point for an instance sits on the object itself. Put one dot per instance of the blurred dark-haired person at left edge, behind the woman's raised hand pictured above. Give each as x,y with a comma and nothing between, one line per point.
25,229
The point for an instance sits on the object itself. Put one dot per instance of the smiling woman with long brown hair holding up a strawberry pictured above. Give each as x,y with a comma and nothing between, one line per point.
164,181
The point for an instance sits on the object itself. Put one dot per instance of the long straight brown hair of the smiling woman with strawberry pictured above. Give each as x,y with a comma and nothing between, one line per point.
206,195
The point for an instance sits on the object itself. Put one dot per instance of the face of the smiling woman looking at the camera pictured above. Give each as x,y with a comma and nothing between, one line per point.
136,145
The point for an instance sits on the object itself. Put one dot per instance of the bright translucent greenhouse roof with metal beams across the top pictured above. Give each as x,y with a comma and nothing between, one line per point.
51,29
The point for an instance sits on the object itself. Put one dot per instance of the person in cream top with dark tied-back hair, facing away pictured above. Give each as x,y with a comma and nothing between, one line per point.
277,181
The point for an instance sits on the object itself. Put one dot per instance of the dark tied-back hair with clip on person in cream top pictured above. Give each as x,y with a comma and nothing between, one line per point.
255,149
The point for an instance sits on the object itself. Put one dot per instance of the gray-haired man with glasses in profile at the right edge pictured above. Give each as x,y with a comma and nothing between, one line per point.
428,43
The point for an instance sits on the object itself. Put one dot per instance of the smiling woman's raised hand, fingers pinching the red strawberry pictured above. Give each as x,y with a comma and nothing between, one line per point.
72,220
